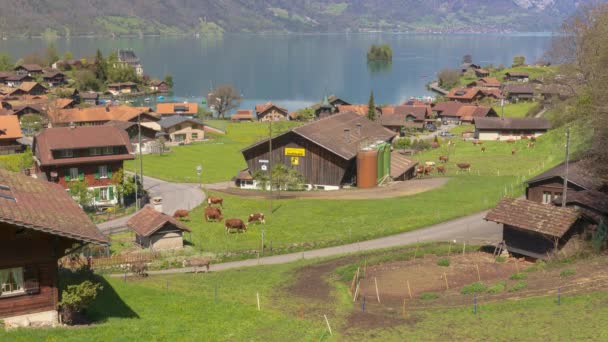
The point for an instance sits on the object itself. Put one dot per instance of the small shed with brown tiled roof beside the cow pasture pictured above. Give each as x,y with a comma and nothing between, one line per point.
157,231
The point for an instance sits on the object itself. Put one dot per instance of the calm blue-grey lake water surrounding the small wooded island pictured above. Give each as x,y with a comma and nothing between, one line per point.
296,70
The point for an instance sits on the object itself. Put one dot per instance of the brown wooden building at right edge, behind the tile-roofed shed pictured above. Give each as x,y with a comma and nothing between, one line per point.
549,185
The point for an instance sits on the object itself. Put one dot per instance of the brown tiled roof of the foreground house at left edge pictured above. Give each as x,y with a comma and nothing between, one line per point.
46,207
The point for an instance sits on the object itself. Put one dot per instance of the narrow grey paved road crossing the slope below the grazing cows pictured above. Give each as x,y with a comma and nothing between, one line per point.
470,228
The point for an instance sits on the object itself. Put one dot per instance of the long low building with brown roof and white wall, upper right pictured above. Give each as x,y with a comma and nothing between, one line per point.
509,128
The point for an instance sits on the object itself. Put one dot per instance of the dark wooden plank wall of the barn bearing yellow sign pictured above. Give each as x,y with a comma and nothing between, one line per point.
319,166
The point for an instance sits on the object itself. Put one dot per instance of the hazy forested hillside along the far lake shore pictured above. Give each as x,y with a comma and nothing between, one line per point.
121,17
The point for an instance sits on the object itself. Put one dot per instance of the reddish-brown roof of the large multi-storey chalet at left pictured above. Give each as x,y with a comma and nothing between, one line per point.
73,138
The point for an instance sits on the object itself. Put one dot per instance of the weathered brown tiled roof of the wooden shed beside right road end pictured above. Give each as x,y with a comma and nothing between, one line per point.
533,216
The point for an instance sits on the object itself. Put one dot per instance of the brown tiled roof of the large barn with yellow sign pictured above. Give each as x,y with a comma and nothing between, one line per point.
343,134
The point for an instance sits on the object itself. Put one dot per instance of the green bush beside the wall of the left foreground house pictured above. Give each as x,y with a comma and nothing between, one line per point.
76,298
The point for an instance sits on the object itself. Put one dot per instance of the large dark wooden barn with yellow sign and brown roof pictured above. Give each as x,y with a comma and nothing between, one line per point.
324,151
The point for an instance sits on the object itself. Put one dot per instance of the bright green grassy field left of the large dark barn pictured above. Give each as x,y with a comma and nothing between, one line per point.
220,157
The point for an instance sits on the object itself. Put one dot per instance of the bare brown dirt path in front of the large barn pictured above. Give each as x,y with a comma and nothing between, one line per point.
396,189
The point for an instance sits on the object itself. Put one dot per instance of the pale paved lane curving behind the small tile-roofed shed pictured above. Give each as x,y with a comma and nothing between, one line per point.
175,196
